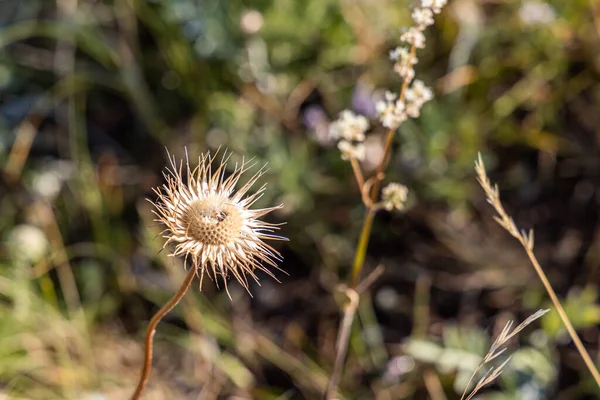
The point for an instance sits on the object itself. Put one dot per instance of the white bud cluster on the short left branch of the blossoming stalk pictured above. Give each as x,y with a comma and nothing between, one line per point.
350,130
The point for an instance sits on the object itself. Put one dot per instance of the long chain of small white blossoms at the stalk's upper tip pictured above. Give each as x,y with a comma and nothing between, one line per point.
392,110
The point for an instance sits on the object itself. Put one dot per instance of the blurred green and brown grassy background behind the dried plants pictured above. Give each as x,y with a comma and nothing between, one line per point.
93,92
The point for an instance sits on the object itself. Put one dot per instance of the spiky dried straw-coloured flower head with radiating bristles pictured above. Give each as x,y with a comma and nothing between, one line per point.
211,222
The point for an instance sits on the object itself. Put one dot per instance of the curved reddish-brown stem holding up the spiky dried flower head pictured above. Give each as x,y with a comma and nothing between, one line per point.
148,343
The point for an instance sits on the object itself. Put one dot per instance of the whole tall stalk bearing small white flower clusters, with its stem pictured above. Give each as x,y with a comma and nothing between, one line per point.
350,130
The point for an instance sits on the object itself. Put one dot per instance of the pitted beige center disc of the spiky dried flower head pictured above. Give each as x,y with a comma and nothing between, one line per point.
212,223
